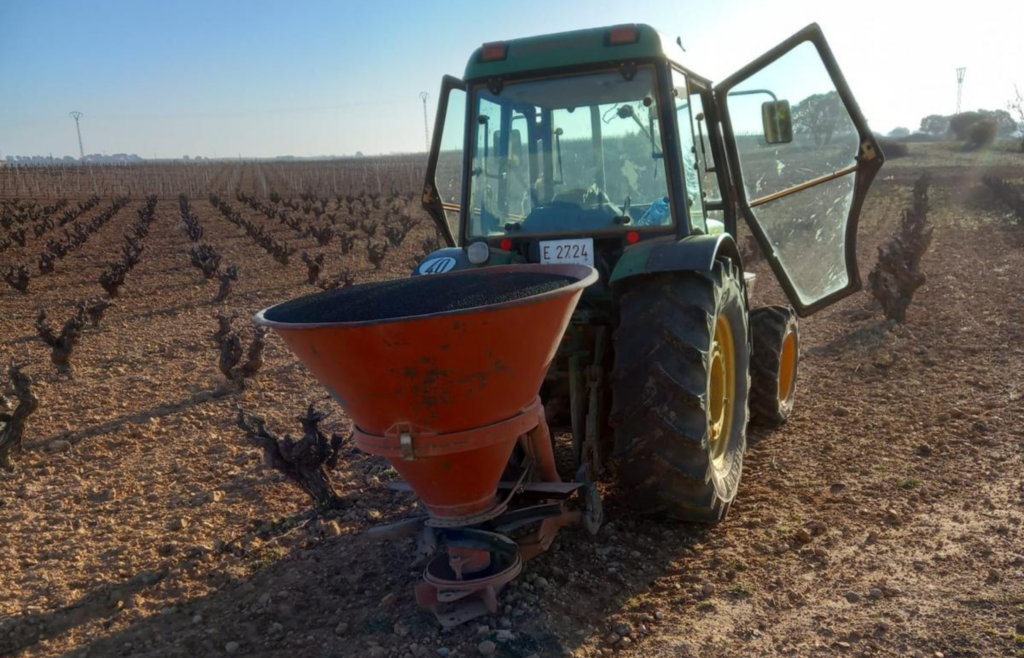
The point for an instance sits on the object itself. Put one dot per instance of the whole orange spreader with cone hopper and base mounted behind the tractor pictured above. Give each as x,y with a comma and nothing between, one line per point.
441,376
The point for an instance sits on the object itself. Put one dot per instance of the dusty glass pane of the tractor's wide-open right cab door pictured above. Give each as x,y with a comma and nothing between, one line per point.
799,184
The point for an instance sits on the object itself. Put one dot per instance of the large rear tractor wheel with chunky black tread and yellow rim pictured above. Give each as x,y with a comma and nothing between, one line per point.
680,432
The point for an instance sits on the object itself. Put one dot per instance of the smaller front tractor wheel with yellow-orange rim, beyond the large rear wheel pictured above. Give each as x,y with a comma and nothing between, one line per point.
776,336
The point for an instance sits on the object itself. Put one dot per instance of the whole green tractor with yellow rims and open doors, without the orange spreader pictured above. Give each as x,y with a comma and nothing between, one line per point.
601,148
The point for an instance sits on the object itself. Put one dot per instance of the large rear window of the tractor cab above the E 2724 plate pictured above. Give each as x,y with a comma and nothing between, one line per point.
568,155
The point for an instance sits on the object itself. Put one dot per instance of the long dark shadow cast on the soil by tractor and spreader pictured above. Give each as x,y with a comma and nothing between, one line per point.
340,596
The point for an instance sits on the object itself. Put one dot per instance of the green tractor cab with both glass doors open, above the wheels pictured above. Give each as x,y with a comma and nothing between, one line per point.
601,148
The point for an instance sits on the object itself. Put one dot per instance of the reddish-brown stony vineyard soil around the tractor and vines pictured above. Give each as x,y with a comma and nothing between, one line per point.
884,520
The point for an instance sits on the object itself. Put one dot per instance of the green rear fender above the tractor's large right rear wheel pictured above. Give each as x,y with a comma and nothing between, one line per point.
692,253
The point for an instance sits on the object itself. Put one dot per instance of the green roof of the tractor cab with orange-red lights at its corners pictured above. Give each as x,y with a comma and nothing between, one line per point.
578,48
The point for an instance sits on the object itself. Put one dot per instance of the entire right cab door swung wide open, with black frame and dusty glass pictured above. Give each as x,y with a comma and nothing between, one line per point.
803,159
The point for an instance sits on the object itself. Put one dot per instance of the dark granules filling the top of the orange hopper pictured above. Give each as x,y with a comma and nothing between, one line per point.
414,296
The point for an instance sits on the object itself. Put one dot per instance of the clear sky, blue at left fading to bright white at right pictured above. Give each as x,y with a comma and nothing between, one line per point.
258,78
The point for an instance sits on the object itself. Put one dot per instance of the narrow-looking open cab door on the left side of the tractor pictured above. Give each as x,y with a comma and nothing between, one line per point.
443,188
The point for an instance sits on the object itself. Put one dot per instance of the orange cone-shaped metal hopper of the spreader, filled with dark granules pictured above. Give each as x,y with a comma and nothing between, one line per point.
437,371
